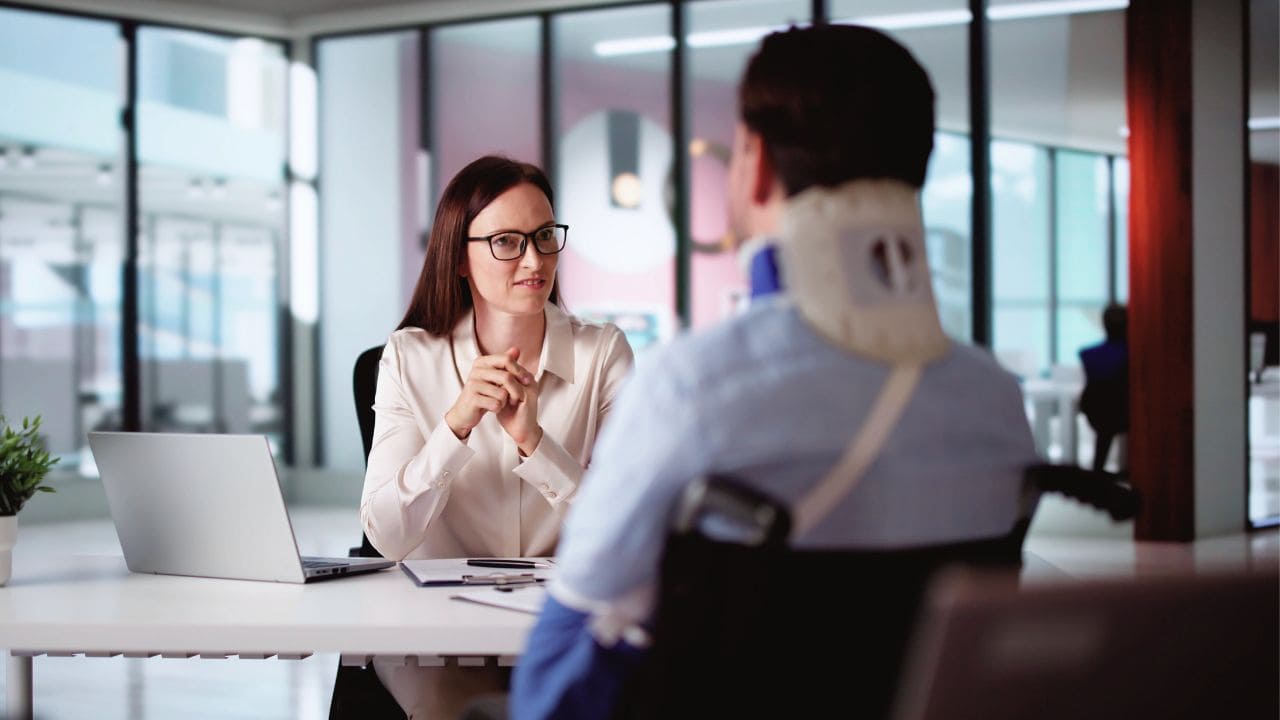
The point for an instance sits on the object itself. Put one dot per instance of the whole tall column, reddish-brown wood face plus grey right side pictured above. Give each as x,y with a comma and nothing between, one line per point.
1186,262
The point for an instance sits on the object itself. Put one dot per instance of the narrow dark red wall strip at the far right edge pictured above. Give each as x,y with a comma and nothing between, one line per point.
1265,243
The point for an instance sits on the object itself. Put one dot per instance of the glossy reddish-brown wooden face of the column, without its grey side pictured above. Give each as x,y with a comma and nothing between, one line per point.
1159,80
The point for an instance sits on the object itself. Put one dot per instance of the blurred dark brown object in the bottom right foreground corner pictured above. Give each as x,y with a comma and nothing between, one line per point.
1186,646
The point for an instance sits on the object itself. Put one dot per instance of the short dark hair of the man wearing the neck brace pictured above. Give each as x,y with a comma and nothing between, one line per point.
839,103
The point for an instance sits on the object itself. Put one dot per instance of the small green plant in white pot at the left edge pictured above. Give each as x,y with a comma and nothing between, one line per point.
24,466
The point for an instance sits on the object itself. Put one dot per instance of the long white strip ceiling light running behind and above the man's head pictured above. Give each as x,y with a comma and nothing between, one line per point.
898,21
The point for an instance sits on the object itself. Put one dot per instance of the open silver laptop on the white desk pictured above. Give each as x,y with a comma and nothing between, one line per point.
207,505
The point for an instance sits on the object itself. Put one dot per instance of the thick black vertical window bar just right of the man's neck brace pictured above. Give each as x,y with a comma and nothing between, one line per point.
980,165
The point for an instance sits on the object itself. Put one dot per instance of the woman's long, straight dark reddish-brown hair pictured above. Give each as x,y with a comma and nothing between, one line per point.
441,297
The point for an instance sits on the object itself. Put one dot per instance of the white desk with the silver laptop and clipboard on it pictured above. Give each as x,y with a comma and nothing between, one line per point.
90,604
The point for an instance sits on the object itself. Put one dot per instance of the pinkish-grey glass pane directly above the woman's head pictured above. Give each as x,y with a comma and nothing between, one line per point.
484,94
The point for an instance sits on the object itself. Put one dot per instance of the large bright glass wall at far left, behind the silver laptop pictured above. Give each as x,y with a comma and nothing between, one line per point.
207,177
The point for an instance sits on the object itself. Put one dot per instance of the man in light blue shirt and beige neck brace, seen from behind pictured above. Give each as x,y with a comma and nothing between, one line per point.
835,133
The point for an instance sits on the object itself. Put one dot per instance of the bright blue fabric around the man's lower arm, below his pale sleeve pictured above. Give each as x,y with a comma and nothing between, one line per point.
565,673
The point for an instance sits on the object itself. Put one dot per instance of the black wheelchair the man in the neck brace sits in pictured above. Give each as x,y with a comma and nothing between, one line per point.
747,627
